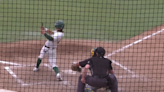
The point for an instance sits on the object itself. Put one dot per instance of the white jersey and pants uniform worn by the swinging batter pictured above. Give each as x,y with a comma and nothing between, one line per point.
49,49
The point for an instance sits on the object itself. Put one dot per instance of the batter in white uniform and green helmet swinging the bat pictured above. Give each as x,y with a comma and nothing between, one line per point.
49,49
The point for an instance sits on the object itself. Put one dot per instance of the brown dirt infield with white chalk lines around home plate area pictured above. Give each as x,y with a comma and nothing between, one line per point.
138,64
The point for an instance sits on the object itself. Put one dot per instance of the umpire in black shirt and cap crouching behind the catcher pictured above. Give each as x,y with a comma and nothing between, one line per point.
101,72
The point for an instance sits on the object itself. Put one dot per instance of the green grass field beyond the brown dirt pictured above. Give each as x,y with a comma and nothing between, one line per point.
109,20
